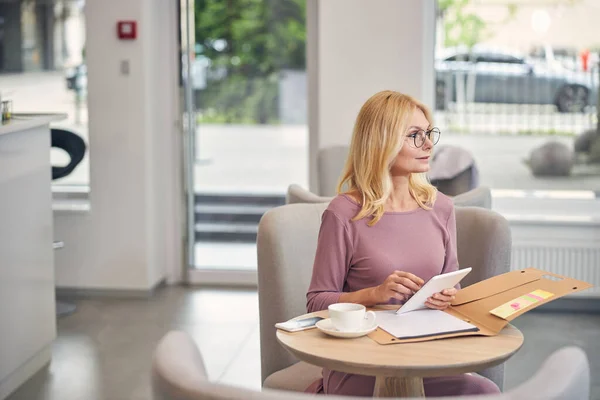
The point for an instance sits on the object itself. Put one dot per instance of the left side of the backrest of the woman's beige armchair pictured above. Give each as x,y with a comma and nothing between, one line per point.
286,245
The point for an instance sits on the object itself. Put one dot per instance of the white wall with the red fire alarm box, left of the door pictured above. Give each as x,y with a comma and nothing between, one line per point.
132,237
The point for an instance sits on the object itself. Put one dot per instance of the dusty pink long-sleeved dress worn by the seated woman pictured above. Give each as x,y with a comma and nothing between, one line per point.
352,256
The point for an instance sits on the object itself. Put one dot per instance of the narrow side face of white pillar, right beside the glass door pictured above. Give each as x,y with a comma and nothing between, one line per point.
165,162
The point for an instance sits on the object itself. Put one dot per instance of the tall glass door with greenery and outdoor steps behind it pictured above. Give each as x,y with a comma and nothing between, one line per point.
245,95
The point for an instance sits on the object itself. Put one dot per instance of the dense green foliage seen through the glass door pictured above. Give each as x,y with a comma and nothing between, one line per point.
248,43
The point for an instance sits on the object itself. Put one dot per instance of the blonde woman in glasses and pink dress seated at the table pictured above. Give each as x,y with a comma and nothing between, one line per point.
388,232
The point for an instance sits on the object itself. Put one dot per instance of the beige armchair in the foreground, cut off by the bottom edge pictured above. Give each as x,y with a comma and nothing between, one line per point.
178,373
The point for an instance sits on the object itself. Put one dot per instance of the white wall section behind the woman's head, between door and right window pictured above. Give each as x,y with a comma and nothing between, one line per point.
357,48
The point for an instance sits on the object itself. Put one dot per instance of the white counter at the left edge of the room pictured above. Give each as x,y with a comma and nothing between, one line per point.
27,306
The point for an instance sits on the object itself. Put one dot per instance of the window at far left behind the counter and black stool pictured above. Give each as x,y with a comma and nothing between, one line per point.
42,67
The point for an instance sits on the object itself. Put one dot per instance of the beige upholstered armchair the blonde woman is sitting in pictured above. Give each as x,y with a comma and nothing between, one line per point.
287,240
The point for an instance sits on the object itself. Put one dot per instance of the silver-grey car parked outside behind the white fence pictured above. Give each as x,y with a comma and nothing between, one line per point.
504,77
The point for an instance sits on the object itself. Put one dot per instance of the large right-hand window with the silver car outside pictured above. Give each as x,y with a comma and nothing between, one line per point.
517,87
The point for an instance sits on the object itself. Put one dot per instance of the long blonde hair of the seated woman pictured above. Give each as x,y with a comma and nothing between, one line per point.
376,141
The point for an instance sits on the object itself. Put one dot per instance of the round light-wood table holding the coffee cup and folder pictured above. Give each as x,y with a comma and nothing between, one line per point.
400,368
